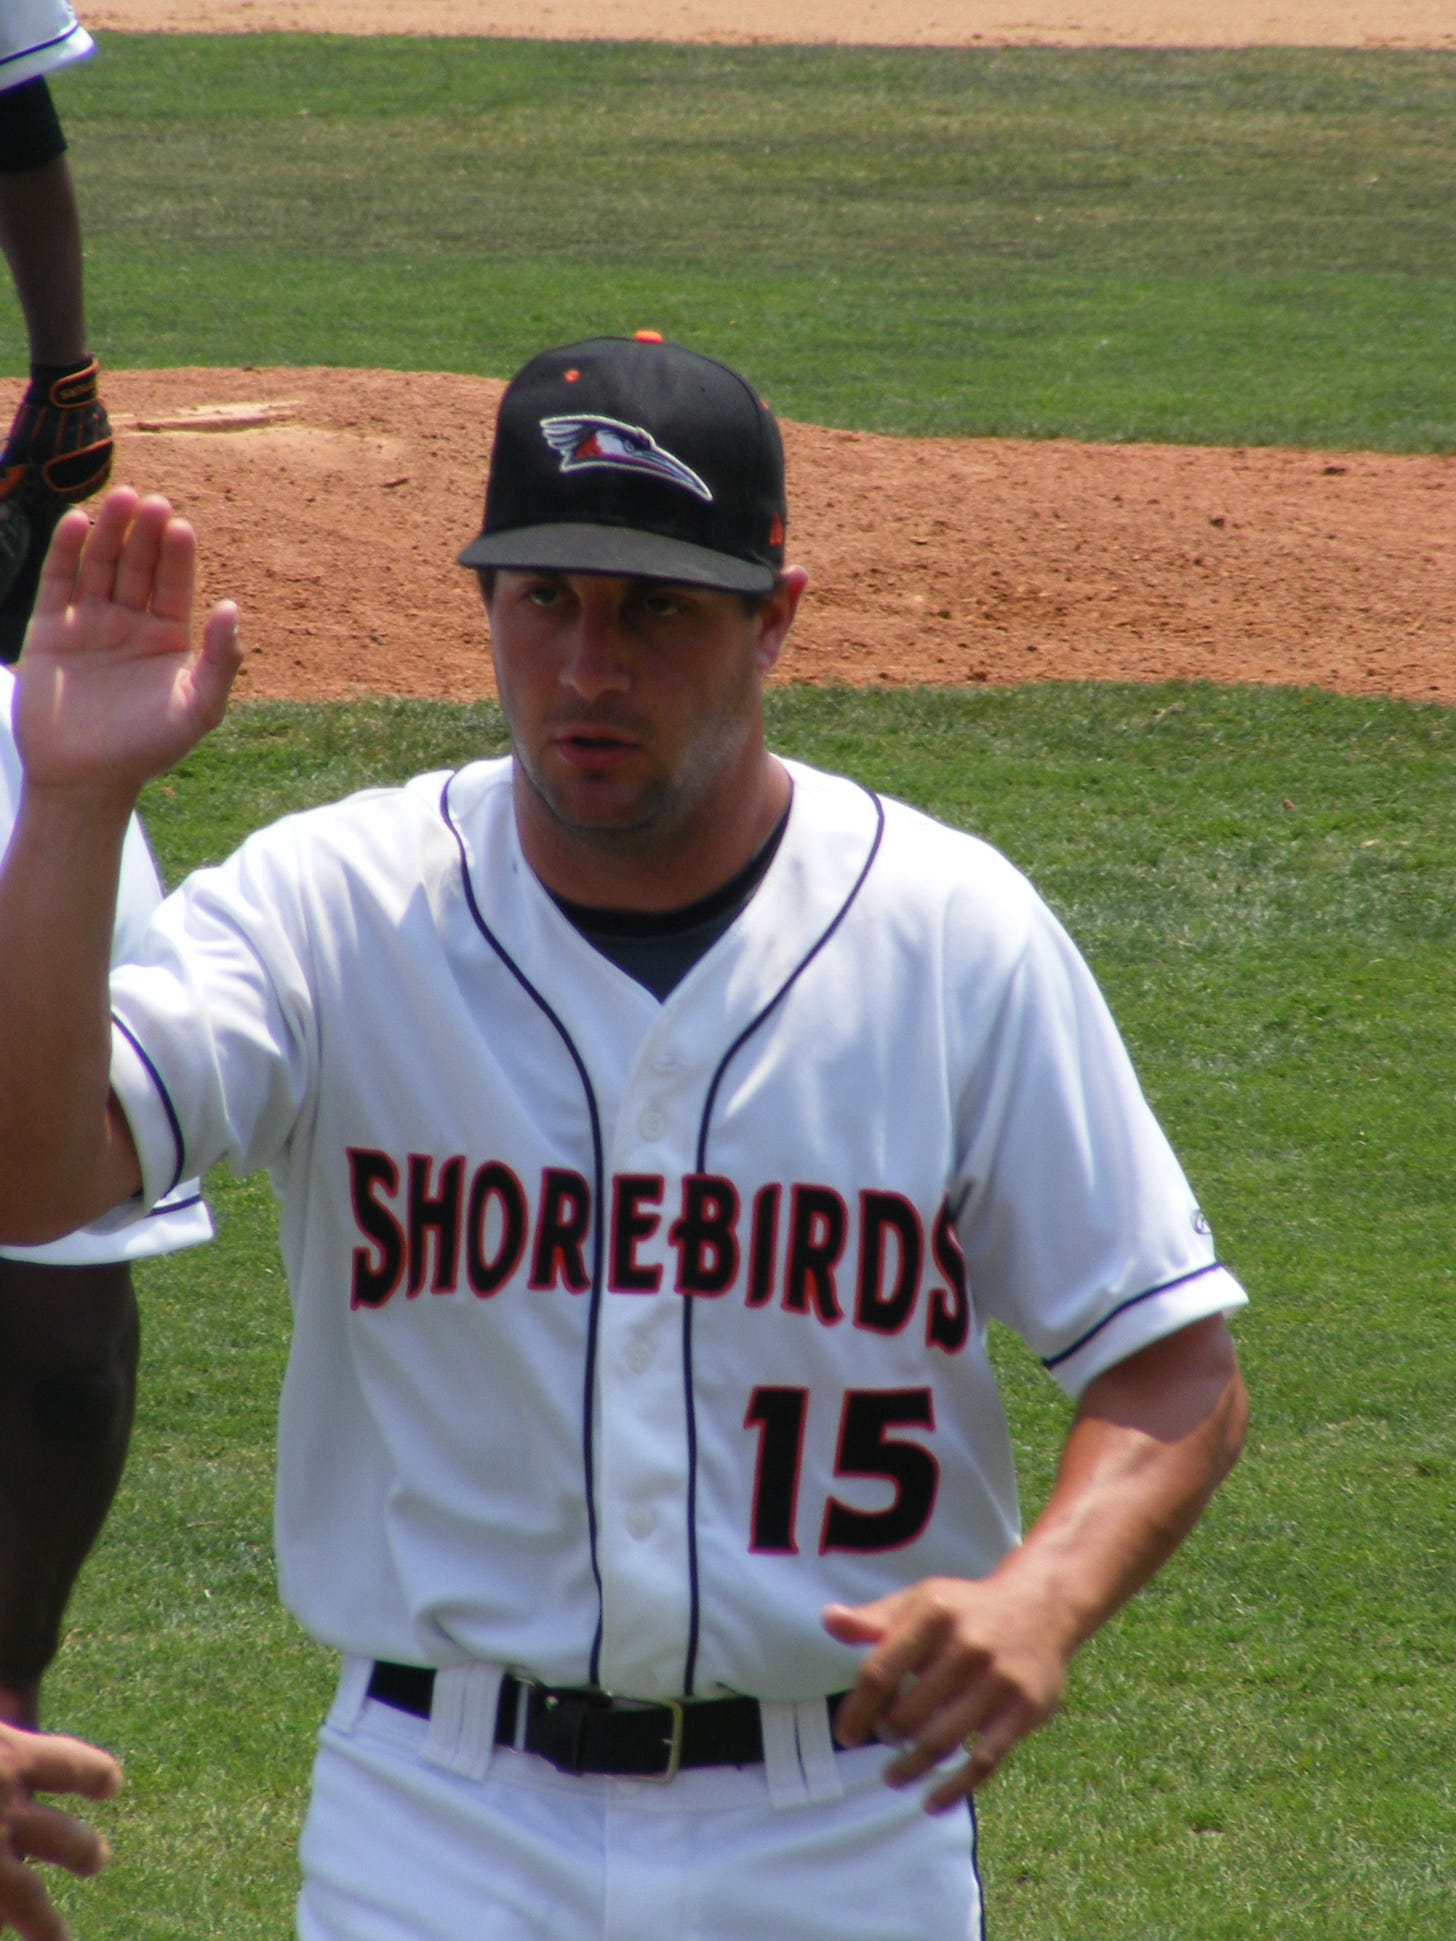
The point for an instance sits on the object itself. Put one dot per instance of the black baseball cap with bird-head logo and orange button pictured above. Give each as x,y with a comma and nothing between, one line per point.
640,459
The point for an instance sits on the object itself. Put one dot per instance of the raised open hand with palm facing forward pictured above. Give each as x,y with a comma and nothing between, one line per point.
112,690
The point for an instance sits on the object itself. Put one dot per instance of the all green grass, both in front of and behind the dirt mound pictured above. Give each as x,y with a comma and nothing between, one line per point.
1240,249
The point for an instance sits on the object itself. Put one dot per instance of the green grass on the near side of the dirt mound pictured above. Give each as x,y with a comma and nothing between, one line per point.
1265,884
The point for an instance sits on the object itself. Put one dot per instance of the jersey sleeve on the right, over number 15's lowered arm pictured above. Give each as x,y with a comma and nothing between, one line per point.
1076,1220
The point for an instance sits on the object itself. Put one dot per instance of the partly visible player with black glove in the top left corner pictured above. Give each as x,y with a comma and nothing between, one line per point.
59,447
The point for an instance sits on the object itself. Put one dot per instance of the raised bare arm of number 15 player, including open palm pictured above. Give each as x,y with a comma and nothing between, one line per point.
110,694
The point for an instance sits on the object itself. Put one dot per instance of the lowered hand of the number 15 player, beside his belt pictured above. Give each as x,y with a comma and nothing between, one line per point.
954,1668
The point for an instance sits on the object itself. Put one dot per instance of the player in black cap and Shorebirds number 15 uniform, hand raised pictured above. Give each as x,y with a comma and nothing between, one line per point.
657,1125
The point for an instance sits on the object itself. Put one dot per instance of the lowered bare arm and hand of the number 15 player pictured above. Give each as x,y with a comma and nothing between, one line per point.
977,1664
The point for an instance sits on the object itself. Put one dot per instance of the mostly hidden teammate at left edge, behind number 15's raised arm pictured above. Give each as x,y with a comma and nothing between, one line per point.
69,1344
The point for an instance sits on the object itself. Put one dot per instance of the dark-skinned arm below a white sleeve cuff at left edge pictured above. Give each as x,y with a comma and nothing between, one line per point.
69,1350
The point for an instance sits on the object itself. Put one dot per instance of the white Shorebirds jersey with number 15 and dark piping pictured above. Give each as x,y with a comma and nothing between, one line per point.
628,1334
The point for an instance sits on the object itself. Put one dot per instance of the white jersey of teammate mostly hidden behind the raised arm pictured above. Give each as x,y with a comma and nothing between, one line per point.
182,1218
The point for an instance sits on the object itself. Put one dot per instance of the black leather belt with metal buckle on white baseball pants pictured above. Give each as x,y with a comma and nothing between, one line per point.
591,1732
